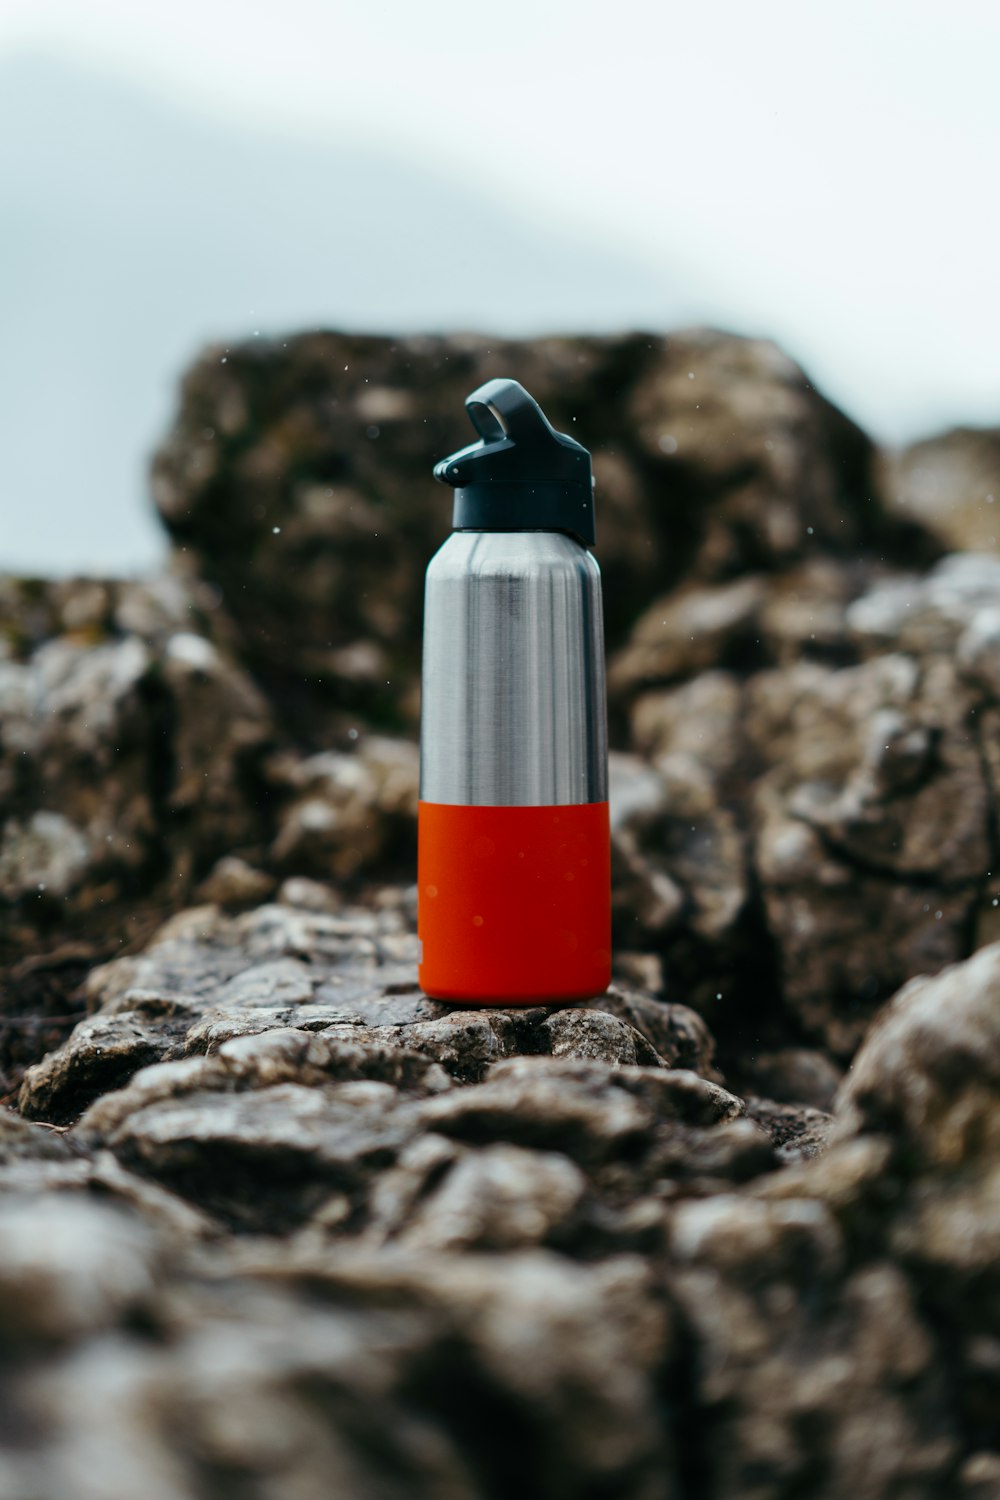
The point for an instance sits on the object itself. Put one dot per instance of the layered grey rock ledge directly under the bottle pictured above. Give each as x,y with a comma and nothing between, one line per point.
265,1082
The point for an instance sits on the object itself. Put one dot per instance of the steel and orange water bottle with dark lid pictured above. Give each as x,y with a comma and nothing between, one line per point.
513,844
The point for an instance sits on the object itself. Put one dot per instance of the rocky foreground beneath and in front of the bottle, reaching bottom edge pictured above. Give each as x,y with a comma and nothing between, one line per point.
341,1237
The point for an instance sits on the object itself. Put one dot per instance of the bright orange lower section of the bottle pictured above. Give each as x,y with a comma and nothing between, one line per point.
515,904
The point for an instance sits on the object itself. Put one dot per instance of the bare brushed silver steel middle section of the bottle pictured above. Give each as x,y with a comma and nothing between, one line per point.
513,707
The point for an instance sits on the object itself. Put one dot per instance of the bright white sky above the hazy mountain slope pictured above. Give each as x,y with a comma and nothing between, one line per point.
824,172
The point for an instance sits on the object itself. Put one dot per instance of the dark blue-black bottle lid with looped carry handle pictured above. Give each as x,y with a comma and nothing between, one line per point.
522,475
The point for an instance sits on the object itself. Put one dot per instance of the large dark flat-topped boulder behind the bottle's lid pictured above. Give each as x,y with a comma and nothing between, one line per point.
314,518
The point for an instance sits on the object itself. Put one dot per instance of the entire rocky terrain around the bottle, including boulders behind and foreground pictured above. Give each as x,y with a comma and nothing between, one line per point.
274,1225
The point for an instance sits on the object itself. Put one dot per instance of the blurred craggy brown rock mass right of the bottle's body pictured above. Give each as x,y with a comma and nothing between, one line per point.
830,827
